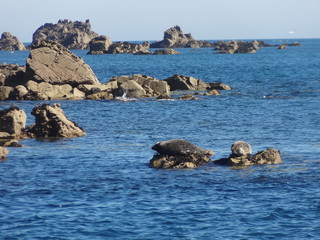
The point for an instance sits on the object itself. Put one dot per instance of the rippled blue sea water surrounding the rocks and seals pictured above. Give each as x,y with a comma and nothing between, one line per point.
100,186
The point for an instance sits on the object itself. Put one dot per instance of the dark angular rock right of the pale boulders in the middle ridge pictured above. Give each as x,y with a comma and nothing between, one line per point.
180,82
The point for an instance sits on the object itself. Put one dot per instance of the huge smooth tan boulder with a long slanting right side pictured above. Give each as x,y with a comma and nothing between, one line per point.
52,63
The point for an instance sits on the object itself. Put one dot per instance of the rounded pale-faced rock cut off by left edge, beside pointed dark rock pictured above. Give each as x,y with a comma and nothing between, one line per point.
13,122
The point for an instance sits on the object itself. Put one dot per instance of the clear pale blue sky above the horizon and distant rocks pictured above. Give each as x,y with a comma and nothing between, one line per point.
147,20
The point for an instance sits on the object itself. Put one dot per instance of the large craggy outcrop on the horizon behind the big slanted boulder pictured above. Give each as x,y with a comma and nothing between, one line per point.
72,35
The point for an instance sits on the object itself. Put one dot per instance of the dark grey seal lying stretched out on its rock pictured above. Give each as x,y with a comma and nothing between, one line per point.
179,147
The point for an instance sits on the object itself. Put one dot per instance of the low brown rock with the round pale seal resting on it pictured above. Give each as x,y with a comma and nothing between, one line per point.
241,156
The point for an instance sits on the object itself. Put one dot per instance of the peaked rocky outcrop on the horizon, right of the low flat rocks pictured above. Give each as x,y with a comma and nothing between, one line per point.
175,38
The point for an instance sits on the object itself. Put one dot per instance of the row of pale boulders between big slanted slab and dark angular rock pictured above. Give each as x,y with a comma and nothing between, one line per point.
137,86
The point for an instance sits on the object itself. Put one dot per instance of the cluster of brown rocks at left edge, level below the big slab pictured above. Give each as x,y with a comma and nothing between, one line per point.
50,122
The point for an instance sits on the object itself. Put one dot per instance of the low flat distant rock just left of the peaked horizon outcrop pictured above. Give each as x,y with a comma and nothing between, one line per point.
127,48
